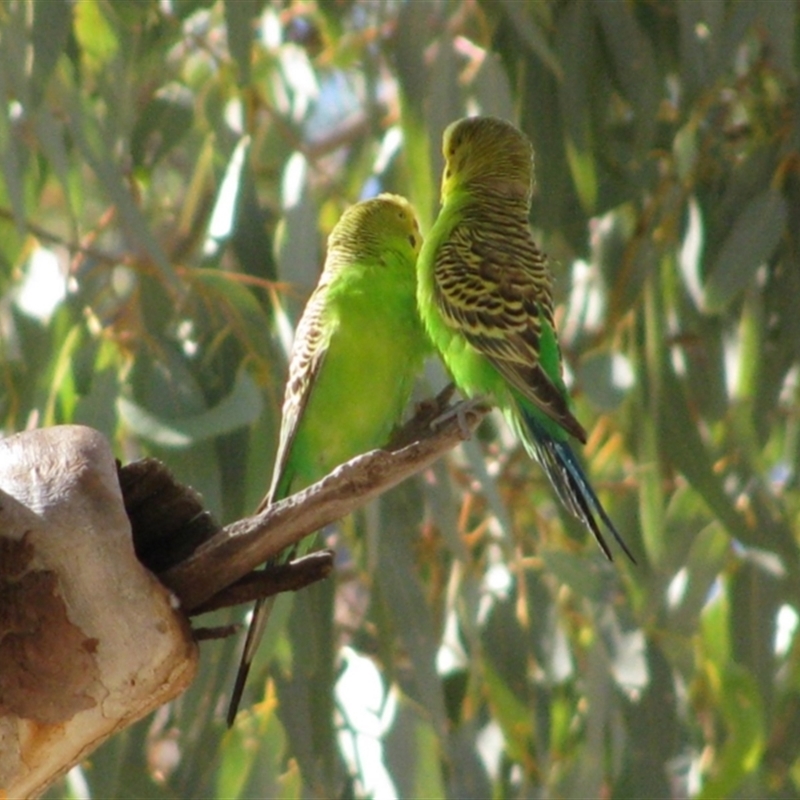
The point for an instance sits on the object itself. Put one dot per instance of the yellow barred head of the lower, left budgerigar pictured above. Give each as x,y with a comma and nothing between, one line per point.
372,228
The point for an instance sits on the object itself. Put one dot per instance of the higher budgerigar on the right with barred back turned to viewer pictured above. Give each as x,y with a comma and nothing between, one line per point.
484,295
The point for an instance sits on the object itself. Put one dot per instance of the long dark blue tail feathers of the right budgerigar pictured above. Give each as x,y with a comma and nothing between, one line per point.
566,474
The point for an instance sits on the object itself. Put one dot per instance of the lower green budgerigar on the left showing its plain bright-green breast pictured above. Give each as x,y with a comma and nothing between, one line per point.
357,350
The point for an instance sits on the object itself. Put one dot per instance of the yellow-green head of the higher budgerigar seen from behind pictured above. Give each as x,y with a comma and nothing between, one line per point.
488,152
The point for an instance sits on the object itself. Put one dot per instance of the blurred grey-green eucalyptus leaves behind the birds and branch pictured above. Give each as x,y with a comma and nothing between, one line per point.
170,169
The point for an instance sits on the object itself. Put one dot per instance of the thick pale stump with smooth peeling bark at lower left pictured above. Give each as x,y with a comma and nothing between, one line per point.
90,641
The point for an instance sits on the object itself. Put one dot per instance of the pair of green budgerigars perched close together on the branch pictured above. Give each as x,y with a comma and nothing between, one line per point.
480,293
